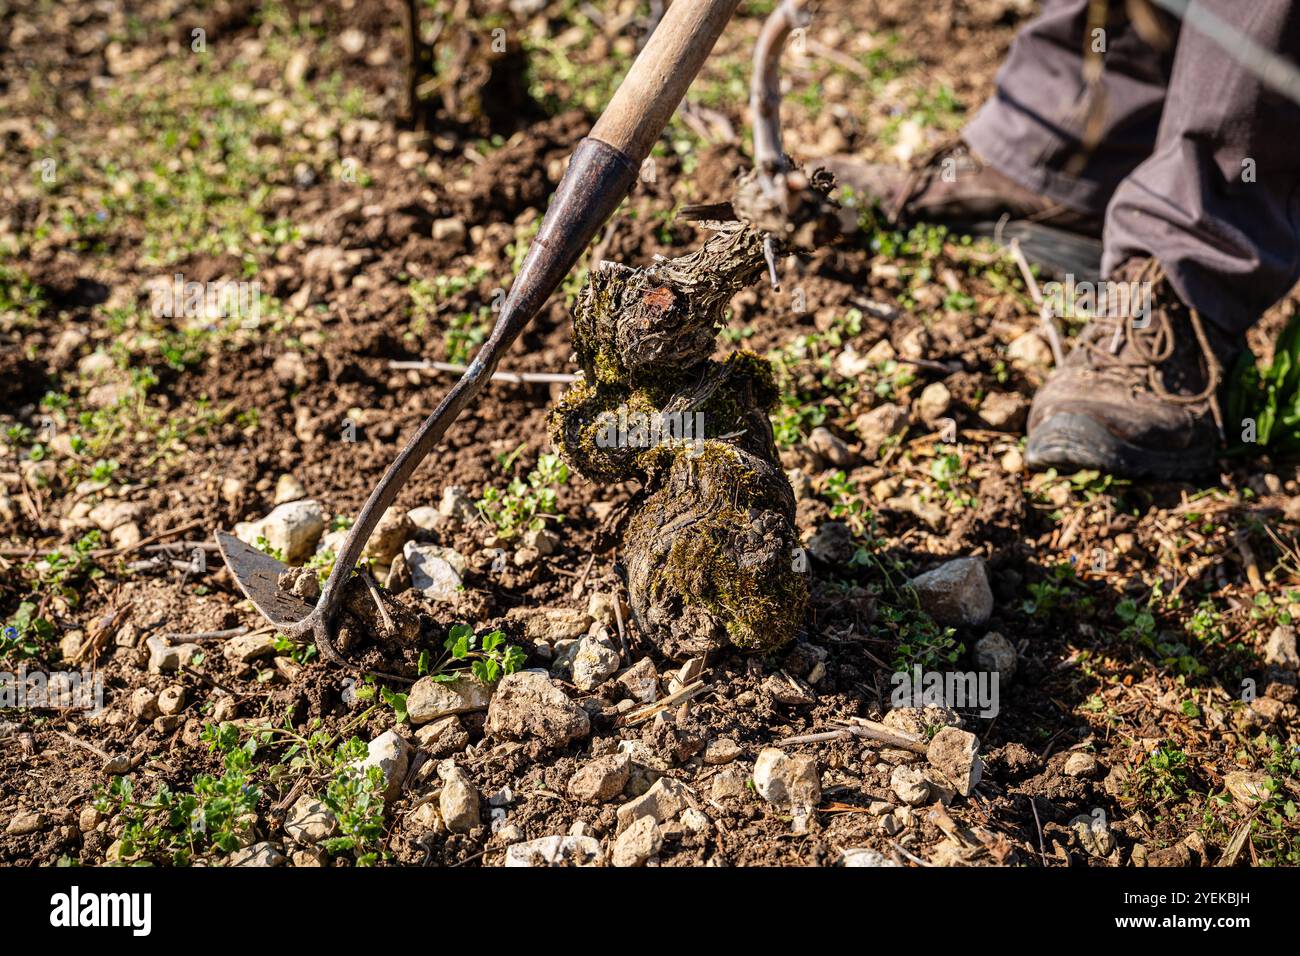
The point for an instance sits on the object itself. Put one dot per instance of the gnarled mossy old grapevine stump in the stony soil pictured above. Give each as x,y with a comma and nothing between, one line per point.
710,547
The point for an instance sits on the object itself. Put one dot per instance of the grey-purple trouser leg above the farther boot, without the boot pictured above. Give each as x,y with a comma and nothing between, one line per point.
1034,127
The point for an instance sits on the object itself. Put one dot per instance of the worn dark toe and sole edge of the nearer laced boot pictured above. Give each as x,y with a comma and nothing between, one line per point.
1068,442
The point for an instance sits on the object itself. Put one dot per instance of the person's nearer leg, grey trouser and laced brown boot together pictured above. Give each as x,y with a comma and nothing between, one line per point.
1207,232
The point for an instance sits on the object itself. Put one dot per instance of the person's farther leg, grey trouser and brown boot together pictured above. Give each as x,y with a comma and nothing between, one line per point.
1047,152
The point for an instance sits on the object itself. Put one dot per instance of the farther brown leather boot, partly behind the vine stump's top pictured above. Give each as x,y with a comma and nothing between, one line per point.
954,187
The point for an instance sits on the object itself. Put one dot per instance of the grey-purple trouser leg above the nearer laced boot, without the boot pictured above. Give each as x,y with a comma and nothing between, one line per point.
1219,202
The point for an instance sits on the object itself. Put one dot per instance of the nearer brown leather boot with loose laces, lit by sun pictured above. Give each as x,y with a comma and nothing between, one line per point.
1138,395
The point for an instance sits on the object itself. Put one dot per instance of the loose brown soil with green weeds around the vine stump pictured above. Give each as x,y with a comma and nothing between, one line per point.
276,155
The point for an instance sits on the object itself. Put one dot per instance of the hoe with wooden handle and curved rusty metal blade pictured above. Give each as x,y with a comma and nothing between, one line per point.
601,174
